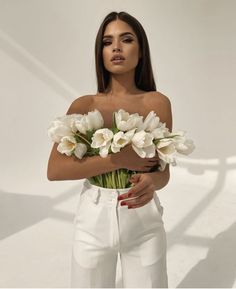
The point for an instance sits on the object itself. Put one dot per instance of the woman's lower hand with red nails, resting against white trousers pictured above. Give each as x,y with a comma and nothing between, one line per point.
143,191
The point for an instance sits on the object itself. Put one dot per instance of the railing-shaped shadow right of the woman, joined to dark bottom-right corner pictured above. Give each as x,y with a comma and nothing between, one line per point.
218,269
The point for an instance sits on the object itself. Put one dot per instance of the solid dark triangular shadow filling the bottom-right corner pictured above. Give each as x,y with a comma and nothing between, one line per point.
218,269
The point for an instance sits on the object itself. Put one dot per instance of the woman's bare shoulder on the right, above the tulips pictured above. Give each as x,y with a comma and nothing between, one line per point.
161,104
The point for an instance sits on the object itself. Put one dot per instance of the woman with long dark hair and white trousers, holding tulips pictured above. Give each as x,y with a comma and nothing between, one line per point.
127,221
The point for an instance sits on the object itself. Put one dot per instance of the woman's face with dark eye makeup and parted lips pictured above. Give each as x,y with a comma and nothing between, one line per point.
120,39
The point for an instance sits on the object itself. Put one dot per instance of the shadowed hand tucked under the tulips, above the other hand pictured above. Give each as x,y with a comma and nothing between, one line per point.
127,158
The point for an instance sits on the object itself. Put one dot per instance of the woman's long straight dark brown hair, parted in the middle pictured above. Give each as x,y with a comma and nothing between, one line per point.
144,79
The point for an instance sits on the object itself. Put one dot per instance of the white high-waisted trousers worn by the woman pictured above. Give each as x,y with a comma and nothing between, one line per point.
103,229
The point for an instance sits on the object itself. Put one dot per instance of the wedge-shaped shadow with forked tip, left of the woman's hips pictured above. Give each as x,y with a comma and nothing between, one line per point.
19,212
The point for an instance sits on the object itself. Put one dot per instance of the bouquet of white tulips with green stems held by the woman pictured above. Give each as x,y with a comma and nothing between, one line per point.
83,135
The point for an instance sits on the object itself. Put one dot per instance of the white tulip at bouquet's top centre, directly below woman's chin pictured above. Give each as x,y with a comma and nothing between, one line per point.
125,121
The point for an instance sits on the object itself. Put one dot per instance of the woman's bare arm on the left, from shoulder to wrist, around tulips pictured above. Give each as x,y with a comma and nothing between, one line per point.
62,167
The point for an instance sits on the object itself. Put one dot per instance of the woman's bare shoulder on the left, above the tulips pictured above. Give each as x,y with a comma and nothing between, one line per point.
81,104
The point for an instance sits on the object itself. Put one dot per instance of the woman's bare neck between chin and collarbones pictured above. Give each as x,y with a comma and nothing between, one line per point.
122,85
